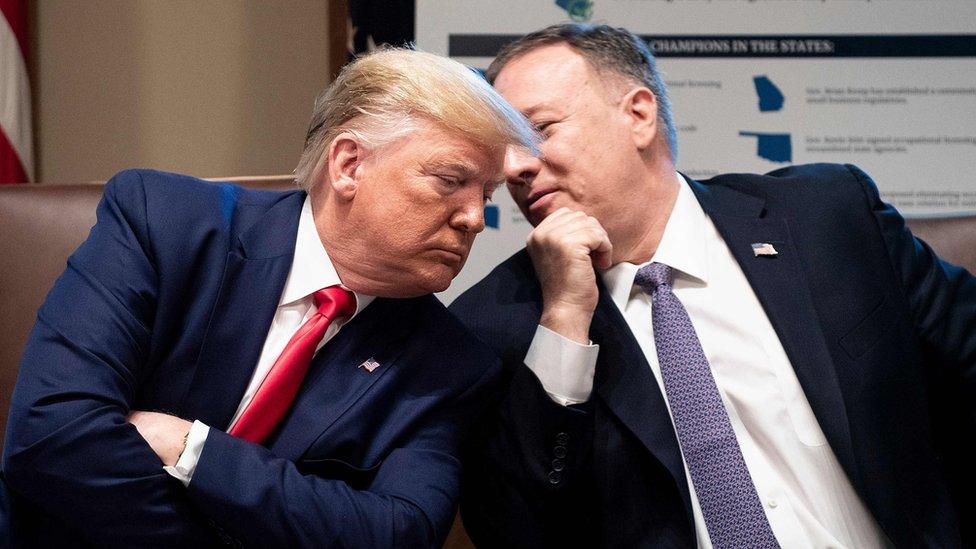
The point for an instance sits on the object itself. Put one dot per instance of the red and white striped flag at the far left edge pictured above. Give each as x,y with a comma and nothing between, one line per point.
16,139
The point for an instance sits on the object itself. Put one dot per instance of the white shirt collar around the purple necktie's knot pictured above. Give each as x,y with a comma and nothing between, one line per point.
682,247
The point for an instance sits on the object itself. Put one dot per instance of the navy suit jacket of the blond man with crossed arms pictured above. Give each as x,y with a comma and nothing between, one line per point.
166,307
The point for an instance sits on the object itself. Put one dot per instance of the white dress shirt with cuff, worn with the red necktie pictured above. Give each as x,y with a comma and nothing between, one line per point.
311,270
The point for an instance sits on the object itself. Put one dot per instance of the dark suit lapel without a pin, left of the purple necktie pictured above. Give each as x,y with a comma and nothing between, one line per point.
624,381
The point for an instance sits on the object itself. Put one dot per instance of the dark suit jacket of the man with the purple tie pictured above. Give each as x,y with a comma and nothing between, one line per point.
881,333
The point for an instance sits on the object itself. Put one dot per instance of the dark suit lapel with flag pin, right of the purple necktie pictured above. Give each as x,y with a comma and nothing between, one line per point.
780,284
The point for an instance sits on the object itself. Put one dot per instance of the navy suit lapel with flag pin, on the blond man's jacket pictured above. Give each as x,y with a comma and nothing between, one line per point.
335,381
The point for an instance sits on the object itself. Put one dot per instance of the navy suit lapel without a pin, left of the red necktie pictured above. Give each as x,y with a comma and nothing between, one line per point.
252,282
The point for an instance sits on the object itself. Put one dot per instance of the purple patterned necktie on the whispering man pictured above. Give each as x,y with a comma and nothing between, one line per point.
728,499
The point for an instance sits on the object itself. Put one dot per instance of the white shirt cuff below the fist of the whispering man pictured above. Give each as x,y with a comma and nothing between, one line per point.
564,367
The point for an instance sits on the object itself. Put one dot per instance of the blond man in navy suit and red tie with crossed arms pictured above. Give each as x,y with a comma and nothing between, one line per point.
270,369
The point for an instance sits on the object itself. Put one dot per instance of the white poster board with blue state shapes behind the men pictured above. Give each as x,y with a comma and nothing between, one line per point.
888,85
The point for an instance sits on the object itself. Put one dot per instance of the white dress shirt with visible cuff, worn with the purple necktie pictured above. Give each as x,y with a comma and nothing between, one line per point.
807,497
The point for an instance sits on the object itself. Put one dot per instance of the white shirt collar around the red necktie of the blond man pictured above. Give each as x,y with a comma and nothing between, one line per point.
311,269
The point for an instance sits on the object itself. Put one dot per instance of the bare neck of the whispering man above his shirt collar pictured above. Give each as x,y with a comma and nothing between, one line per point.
655,199
